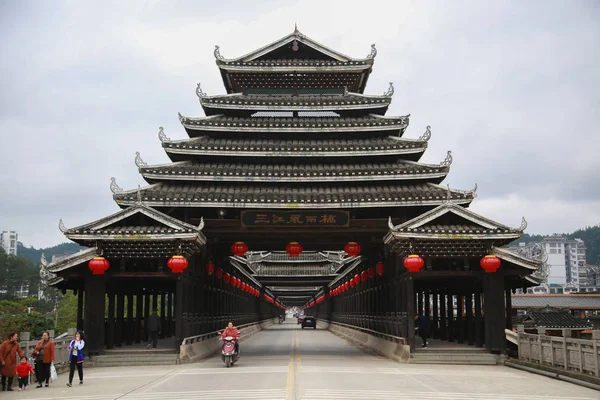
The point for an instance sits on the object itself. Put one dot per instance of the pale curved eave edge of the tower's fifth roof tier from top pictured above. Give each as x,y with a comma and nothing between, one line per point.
152,178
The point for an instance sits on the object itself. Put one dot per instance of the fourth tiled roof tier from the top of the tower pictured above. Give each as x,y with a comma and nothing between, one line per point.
205,145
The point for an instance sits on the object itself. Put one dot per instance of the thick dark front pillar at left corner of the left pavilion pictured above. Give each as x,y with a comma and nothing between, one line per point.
95,289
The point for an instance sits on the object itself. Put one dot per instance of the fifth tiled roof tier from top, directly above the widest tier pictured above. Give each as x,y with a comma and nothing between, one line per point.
293,172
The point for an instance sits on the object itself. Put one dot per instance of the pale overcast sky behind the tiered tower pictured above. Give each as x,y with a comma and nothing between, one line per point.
511,87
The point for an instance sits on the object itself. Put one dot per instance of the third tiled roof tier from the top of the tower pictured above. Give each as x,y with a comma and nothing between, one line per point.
282,124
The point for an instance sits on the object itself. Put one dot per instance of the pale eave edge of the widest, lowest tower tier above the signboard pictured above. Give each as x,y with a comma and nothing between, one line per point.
293,205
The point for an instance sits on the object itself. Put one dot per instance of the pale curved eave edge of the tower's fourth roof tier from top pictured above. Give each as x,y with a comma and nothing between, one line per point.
278,153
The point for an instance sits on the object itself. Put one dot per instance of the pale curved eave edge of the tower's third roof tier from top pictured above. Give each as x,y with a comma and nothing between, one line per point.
193,129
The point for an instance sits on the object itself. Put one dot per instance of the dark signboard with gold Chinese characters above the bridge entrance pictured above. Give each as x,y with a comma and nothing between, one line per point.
299,219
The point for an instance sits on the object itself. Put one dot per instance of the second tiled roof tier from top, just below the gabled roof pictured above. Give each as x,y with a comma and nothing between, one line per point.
292,102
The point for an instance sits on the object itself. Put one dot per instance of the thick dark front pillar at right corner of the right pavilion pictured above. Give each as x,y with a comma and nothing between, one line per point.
494,322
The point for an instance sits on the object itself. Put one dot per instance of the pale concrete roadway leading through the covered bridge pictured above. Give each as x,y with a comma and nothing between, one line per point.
285,362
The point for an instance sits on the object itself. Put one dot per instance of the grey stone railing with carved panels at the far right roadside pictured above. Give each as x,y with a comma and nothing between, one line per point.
579,355
